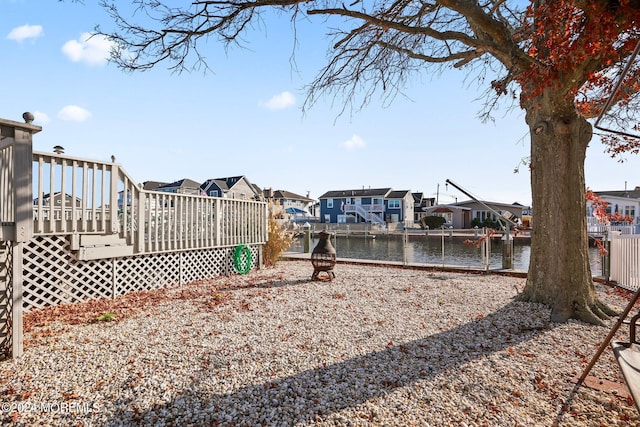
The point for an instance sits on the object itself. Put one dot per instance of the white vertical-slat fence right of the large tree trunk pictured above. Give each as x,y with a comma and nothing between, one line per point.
625,261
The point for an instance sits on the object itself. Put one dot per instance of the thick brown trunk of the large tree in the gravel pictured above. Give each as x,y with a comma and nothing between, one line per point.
559,270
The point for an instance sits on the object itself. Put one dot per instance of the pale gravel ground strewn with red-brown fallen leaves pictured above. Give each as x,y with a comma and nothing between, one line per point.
376,346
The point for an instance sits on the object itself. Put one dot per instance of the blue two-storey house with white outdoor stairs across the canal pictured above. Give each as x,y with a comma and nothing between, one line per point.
371,205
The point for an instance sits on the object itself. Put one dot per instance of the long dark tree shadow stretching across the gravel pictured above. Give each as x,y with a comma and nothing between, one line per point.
317,393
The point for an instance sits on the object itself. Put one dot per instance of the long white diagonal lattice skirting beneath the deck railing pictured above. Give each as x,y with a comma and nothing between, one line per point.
53,276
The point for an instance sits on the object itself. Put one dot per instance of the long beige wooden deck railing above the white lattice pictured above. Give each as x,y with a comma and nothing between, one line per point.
80,196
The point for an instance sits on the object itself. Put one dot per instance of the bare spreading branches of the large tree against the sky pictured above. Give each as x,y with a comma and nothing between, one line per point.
380,46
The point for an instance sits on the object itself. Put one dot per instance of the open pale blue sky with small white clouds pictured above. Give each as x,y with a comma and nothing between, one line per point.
244,117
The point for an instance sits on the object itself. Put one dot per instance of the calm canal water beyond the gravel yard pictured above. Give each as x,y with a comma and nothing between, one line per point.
432,250
